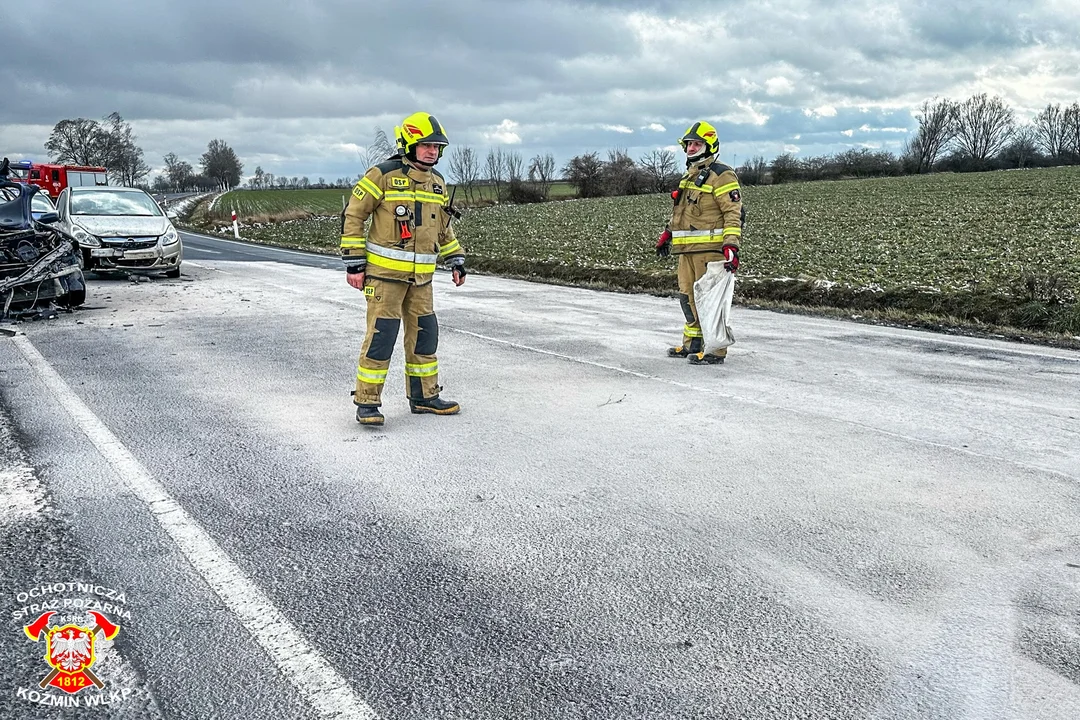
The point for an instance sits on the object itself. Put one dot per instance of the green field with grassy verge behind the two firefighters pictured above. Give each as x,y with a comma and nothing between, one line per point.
990,250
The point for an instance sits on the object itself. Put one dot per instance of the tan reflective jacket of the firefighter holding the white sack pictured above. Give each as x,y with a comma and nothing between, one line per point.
709,212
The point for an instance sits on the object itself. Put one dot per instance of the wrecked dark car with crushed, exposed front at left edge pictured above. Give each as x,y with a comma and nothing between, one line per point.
39,264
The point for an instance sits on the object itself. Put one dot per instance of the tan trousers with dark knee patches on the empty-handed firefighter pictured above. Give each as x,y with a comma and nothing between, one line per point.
391,305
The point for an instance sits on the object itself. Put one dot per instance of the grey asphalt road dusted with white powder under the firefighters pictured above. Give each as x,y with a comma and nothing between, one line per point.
843,522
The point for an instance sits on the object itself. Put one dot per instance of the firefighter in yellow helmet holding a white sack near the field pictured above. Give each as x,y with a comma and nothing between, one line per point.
706,227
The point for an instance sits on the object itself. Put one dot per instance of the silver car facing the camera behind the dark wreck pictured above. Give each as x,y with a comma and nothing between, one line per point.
121,229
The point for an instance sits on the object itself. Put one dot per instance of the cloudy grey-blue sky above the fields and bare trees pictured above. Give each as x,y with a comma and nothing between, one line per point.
299,88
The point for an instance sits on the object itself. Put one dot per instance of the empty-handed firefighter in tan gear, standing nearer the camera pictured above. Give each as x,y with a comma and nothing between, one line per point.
395,263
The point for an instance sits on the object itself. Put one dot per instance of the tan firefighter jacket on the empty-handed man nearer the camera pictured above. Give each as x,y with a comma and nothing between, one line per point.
410,227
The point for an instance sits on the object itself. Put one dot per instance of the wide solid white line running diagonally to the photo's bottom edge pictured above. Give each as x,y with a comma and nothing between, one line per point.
325,689
